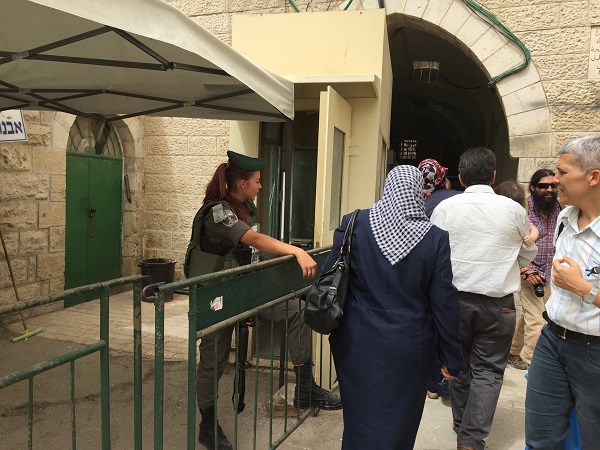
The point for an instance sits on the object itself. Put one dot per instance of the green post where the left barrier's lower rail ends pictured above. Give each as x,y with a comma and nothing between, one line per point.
104,370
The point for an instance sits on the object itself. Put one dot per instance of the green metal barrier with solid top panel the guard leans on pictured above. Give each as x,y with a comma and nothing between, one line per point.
242,292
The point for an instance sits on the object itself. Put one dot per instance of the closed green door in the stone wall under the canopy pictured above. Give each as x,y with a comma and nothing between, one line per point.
93,219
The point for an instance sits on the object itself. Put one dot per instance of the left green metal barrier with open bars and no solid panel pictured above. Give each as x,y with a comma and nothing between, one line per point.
101,346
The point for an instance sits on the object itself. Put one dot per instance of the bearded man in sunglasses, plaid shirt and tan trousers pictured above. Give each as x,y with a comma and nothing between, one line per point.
543,211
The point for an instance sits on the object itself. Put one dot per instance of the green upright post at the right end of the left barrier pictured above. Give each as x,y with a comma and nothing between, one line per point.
137,366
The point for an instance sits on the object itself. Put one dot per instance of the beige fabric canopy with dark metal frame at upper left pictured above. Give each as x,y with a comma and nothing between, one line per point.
239,77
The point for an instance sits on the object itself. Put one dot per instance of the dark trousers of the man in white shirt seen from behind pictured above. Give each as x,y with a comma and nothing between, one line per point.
487,328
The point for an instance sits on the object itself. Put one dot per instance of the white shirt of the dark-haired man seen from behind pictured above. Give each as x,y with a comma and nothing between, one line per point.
486,240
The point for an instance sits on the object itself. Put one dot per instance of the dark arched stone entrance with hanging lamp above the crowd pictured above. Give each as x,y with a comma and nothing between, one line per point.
441,109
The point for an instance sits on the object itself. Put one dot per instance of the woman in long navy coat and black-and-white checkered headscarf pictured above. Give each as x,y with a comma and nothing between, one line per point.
400,292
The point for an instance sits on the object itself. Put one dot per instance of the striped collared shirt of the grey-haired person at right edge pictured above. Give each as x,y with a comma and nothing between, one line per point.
564,307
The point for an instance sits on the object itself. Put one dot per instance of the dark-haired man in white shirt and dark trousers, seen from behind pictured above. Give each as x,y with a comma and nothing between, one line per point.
486,241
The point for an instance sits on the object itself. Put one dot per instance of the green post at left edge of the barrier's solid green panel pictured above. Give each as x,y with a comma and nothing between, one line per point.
192,337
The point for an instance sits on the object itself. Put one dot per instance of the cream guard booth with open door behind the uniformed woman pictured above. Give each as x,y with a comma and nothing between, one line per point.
333,157
